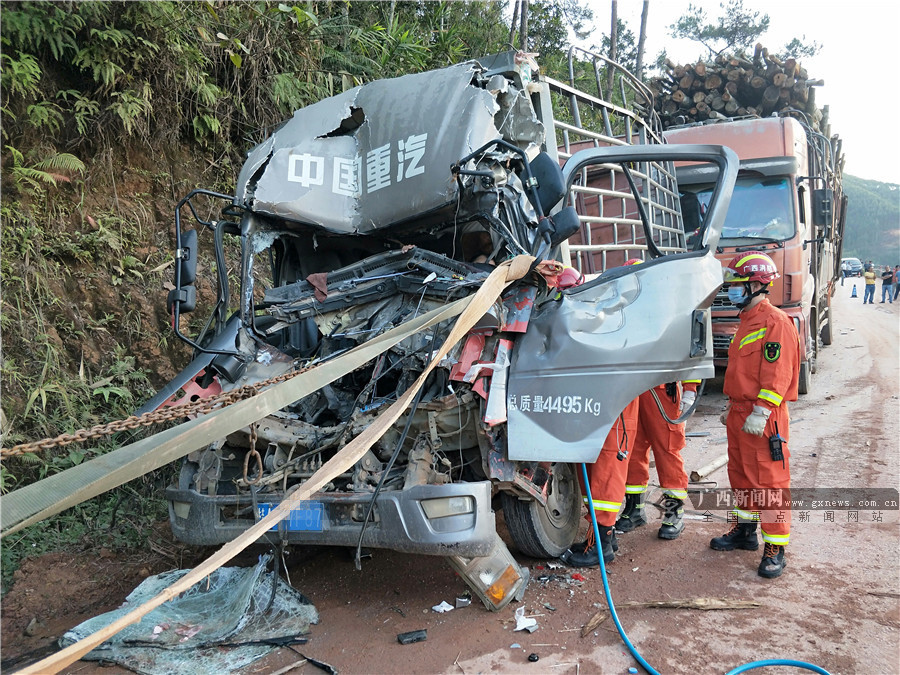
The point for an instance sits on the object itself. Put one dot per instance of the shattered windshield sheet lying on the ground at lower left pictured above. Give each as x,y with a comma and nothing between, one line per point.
218,625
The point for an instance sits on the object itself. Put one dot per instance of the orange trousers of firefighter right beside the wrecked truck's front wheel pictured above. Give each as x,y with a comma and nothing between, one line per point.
607,474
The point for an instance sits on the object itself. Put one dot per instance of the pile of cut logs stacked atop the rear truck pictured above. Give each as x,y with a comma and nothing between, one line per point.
736,86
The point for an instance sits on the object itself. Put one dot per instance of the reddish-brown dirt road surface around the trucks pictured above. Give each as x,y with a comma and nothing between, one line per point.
837,604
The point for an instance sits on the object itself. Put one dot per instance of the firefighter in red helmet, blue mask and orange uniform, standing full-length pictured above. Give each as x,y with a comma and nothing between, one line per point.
762,375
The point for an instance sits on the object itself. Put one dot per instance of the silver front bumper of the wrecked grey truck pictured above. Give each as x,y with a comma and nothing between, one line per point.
398,520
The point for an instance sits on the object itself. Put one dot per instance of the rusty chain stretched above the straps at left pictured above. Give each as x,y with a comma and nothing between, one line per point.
199,407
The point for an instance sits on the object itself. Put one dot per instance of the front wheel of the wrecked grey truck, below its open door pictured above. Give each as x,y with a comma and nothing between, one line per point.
546,531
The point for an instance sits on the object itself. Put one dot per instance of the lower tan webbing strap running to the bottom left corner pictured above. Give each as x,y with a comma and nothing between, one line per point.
343,460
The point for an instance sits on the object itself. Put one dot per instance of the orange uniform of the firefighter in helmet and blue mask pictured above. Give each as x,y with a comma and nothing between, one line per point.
763,366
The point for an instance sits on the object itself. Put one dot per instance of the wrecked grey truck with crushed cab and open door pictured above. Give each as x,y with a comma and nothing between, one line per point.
393,200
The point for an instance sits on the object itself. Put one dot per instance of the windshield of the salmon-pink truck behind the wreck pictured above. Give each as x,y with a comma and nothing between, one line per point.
761,208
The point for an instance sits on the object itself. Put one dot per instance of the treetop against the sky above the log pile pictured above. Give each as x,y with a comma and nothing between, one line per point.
736,30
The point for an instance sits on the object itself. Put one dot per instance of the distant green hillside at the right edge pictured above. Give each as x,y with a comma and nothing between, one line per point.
873,221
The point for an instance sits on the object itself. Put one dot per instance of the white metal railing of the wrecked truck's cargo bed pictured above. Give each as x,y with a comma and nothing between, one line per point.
612,230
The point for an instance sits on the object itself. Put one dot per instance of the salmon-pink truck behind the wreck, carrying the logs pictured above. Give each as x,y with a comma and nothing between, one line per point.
788,202
